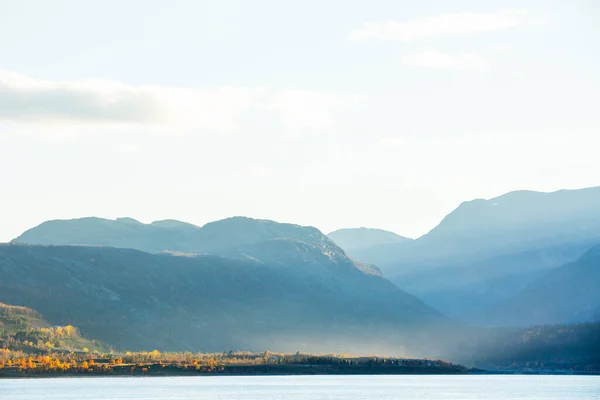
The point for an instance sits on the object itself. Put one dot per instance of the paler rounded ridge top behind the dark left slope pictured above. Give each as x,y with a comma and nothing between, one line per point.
165,235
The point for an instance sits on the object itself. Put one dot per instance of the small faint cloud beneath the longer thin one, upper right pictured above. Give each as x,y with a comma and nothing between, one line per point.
439,60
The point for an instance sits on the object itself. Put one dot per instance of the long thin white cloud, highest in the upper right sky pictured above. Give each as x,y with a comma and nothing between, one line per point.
454,24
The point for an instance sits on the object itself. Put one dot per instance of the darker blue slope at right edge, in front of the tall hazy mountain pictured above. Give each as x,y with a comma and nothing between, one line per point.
567,294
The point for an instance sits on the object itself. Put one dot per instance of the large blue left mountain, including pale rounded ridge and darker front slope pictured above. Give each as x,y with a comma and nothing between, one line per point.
263,285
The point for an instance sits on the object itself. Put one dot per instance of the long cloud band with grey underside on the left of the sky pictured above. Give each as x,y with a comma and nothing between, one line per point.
218,109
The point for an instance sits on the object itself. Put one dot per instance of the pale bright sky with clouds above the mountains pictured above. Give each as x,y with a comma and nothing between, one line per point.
383,113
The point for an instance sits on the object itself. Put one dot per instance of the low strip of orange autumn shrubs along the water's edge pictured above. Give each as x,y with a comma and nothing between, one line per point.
155,363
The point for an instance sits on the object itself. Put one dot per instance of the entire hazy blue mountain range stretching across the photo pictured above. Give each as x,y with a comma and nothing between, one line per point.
521,259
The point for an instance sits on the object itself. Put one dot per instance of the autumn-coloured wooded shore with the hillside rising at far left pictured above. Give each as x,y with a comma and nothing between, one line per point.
31,347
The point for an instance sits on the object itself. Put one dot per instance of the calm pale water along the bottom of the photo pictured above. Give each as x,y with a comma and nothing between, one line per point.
307,387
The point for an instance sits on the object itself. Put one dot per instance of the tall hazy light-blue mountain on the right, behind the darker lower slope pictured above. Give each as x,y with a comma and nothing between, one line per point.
486,251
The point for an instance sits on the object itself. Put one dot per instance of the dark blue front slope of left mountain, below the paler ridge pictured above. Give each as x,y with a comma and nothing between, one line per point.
131,299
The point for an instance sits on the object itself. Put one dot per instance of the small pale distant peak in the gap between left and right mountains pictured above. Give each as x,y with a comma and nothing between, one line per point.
356,240
